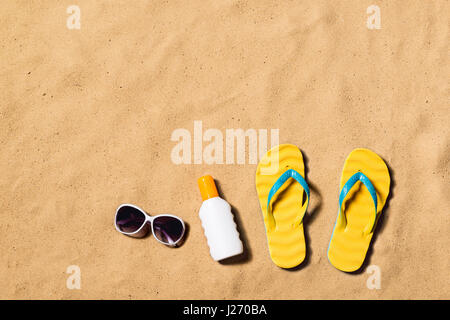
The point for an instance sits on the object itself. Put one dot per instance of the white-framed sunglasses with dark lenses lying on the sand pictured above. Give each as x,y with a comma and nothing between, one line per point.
134,222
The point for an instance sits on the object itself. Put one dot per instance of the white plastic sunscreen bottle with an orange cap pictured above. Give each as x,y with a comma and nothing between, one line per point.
217,222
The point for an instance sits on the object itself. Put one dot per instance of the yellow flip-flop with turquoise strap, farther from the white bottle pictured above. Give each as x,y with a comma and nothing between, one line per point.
364,189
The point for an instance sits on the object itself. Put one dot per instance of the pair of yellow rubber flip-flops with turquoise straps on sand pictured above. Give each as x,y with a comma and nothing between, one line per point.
284,196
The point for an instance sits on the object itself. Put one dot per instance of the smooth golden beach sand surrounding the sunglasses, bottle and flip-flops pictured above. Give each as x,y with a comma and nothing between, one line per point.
87,117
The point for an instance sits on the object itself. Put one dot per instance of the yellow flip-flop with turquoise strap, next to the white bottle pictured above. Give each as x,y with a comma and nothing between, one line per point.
280,185
